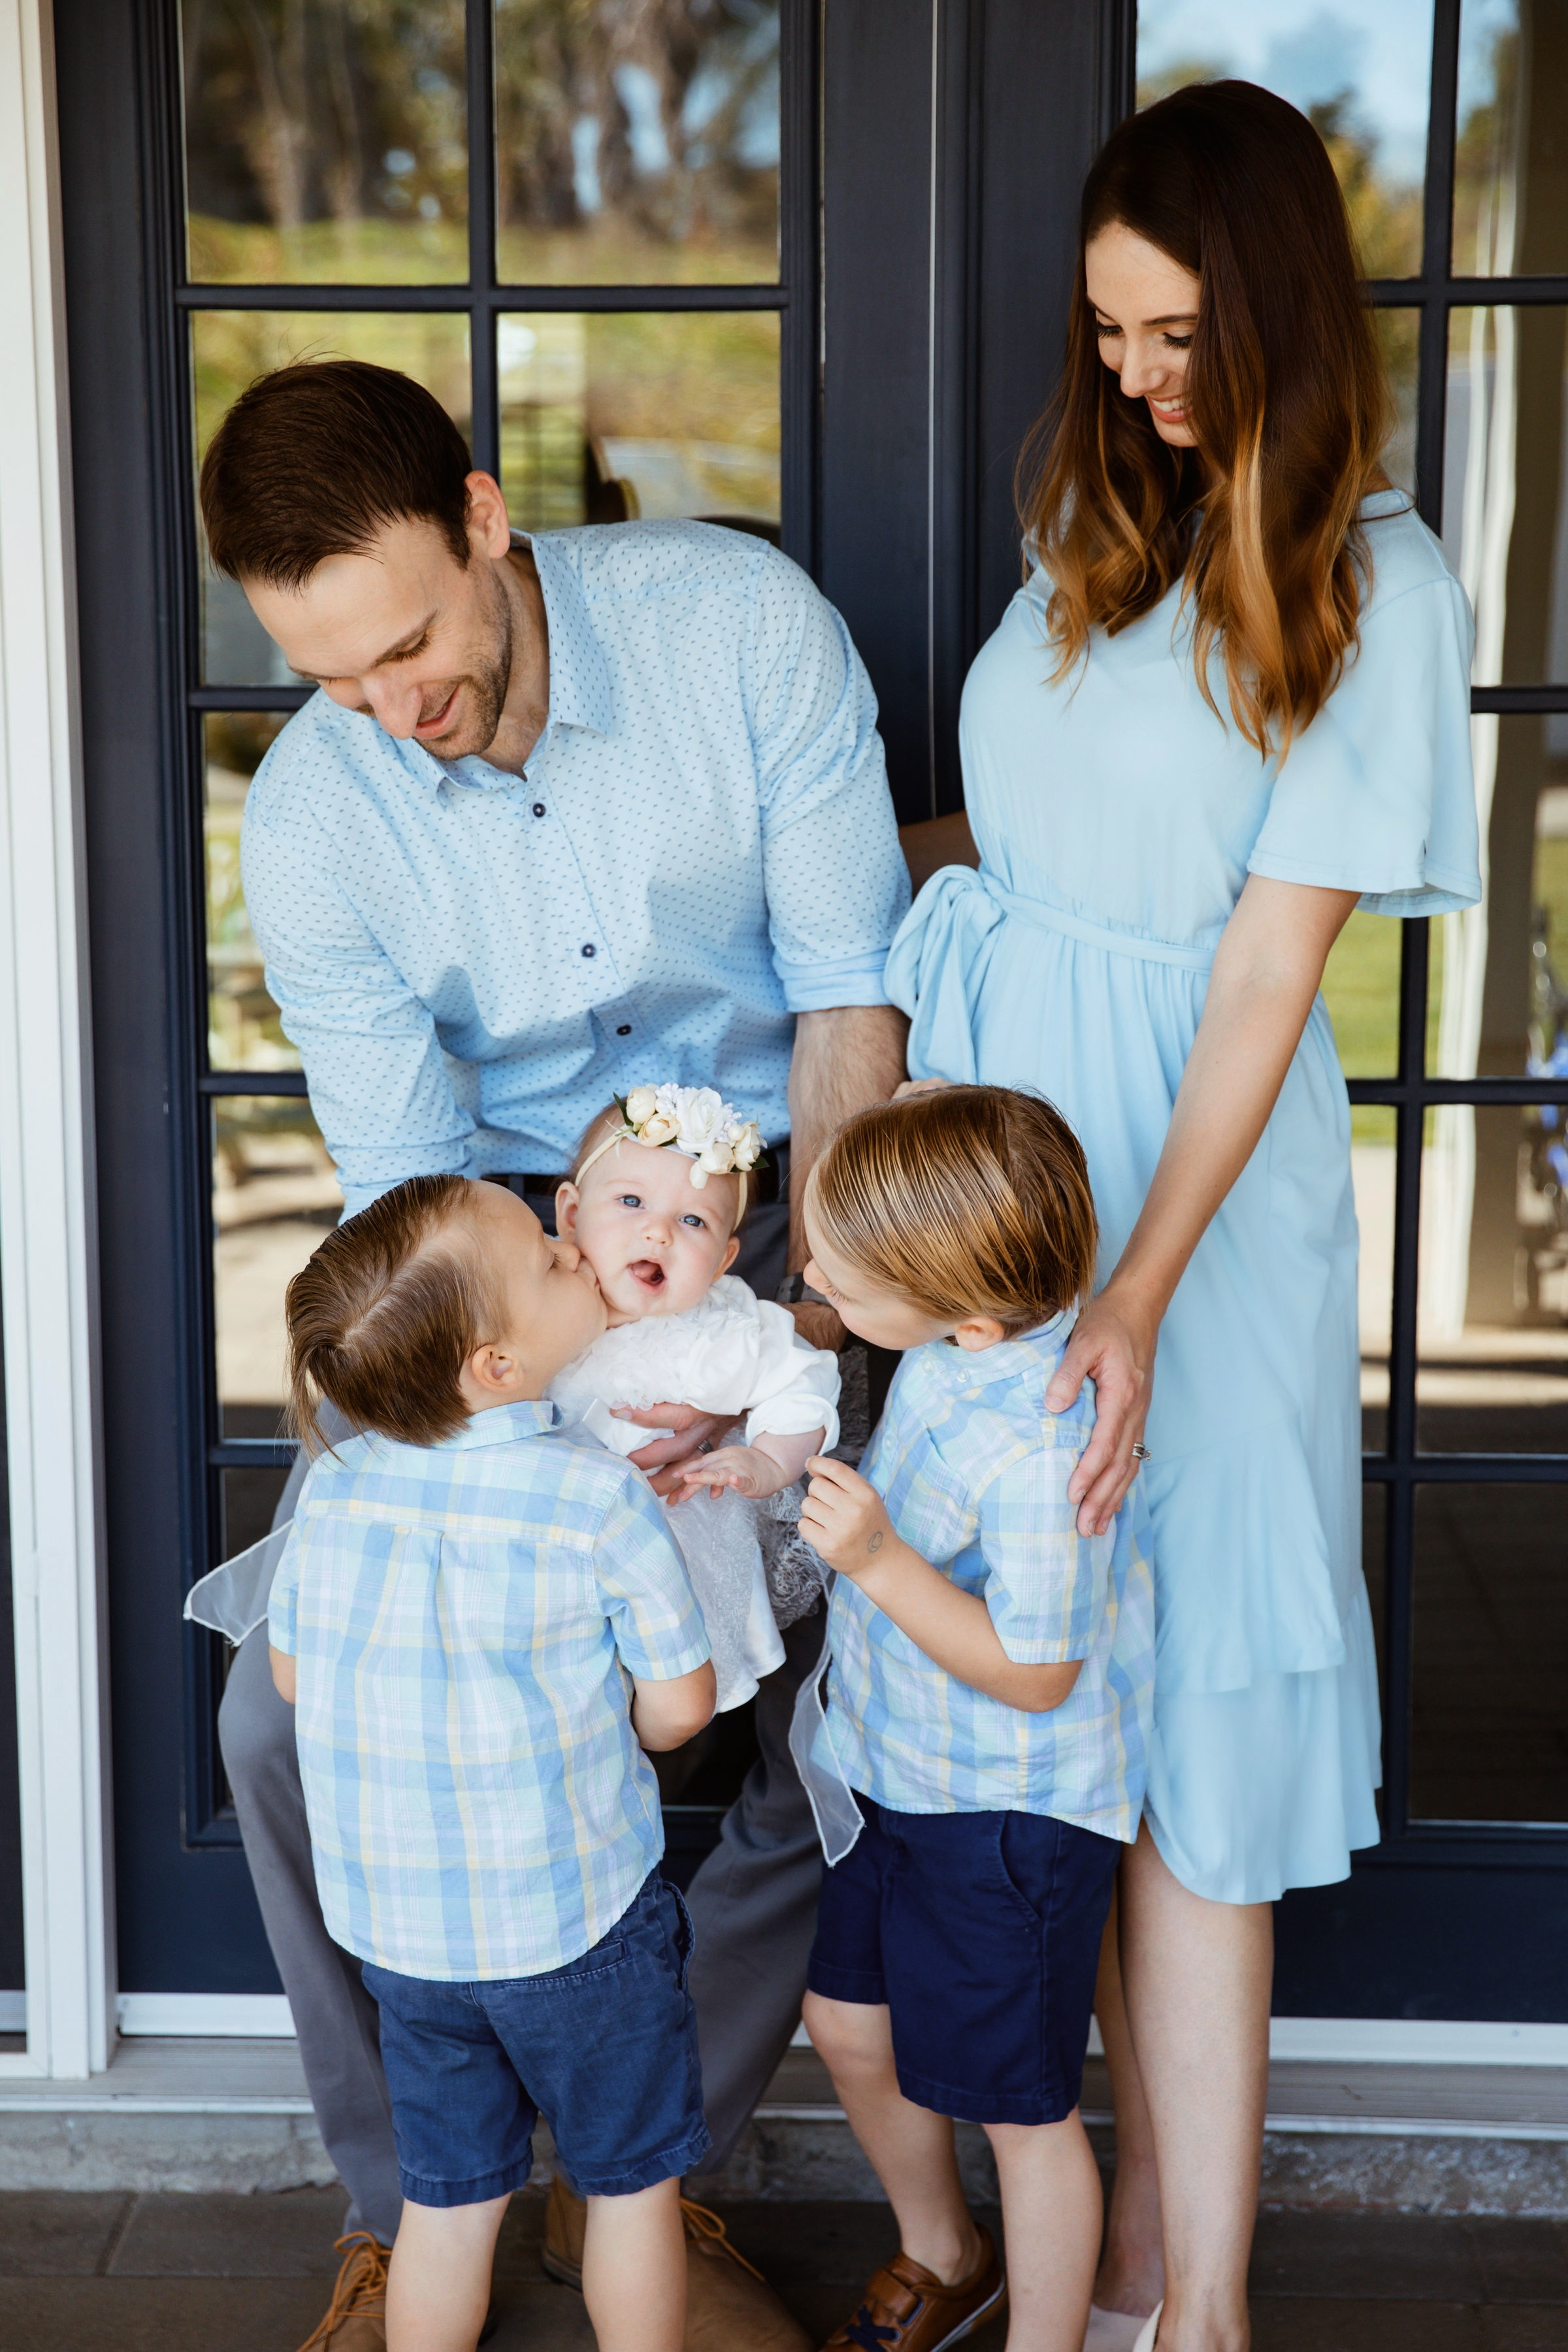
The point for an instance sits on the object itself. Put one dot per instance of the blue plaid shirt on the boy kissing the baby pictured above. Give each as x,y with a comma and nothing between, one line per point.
467,1622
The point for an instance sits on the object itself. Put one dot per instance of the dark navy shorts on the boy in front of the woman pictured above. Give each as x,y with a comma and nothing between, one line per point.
981,1932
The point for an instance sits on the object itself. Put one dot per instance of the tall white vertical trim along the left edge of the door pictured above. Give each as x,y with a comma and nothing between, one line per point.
46,1158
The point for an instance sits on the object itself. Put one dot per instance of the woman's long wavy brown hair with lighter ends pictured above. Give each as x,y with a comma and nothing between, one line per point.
1285,394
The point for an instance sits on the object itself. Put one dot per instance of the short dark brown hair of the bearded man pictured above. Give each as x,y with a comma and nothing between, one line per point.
319,457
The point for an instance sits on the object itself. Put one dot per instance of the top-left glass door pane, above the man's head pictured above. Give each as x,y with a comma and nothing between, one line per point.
326,140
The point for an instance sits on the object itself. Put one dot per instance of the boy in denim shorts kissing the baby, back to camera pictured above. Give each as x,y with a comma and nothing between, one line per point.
483,1629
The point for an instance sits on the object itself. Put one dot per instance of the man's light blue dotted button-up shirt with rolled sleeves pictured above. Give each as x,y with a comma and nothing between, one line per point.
702,848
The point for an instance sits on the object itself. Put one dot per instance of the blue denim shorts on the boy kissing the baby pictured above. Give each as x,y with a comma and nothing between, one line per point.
605,2050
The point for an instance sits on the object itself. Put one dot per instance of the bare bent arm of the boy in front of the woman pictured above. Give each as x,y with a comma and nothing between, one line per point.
850,1525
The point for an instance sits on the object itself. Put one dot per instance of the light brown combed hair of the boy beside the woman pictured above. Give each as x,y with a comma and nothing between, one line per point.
965,1203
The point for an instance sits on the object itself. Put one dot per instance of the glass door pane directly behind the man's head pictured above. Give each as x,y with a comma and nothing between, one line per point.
229,349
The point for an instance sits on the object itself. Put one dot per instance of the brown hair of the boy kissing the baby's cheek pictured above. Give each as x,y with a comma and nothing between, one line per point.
382,1318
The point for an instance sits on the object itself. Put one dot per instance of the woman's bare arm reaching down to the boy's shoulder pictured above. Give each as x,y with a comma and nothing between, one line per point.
1266,977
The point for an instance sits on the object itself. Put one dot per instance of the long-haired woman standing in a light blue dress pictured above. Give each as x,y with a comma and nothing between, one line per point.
1228,707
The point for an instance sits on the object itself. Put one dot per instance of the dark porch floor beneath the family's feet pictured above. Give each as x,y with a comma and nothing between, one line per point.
185,2273
